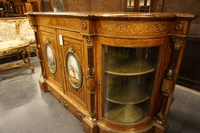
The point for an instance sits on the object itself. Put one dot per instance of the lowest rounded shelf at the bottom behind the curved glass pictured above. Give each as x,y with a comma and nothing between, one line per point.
125,114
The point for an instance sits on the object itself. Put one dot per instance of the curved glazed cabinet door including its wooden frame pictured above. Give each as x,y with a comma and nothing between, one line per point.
128,77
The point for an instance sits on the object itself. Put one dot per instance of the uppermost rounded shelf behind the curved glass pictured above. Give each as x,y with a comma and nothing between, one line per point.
130,67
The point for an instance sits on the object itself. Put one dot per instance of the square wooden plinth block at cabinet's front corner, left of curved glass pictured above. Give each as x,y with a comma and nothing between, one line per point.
89,126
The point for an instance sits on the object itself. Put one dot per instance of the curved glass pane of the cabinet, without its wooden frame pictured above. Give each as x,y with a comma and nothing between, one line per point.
128,81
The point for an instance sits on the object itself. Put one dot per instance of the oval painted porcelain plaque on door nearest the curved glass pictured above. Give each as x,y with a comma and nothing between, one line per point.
73,70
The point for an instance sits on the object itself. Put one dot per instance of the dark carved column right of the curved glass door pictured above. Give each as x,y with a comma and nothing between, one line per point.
169,80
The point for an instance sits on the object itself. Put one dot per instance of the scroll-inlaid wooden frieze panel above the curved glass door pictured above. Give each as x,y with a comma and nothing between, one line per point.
140,29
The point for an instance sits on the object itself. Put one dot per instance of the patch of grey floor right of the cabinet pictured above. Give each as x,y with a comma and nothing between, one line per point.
184,115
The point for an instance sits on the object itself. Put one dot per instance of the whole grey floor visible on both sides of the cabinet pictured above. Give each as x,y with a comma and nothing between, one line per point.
26,109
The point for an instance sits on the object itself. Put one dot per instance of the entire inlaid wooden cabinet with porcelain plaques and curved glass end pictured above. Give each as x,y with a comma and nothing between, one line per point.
114,72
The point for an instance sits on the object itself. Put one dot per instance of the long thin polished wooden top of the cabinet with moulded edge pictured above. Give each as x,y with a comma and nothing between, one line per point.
129,15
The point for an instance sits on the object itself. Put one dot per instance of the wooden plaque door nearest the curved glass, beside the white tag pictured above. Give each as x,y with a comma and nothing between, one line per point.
74,66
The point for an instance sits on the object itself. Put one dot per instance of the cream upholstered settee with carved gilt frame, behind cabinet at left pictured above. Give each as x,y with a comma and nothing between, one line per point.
16,39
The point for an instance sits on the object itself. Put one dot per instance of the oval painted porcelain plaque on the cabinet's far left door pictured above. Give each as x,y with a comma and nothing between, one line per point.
50,58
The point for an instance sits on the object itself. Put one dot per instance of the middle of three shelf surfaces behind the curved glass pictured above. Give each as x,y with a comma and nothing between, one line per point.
127,94
